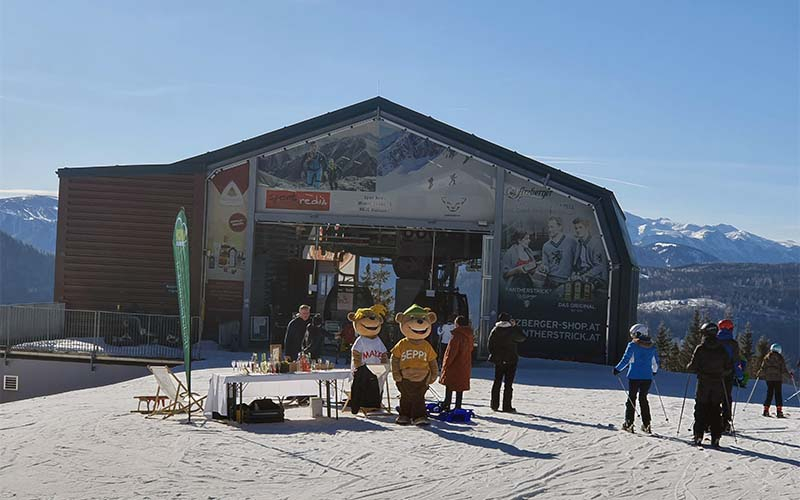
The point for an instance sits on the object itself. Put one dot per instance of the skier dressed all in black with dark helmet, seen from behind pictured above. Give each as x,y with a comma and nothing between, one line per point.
712,365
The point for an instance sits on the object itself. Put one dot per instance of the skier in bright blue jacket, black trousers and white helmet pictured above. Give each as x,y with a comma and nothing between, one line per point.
641,358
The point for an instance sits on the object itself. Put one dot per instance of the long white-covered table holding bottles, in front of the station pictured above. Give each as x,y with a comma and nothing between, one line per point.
273,384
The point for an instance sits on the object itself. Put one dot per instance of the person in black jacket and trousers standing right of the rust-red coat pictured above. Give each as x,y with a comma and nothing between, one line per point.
503,342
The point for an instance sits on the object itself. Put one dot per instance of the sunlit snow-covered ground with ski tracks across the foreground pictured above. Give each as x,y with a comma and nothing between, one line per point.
564,443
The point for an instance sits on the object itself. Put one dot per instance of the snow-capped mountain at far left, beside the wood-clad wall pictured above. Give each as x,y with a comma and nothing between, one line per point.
31,219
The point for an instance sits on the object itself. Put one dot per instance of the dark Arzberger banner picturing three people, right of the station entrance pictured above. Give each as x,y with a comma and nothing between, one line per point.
554,278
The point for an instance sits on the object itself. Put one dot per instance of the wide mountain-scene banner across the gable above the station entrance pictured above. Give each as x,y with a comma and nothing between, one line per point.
377,168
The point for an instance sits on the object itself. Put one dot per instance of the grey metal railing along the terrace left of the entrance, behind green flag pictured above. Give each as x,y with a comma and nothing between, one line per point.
51,328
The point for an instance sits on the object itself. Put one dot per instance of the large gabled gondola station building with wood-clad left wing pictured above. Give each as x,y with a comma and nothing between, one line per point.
371,203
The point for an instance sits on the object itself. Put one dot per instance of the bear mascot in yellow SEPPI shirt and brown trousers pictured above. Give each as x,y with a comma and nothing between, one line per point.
414,365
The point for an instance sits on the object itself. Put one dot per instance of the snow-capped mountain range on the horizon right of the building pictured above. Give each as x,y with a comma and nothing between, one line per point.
665,243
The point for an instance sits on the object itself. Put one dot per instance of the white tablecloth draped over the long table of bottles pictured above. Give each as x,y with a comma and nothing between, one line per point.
277,385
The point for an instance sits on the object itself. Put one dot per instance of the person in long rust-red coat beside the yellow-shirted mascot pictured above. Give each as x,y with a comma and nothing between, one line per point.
457,363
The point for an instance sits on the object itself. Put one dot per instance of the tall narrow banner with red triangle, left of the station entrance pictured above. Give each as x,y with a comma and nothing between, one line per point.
227,221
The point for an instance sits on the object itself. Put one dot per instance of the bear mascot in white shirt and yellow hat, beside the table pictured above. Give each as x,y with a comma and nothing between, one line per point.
368,349
